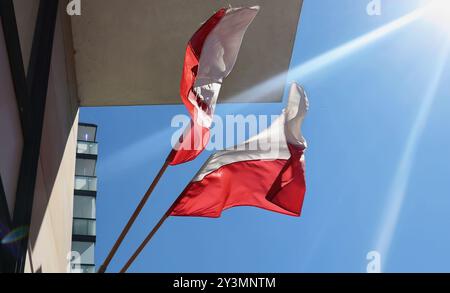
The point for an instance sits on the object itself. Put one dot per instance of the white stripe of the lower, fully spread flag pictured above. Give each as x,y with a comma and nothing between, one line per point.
270,144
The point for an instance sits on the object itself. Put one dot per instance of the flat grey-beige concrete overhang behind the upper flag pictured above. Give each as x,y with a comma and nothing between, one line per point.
131,52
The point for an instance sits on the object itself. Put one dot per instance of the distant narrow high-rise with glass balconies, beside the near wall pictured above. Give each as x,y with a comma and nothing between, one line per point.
84,200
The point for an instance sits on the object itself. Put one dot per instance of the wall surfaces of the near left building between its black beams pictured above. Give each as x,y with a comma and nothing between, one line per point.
51,225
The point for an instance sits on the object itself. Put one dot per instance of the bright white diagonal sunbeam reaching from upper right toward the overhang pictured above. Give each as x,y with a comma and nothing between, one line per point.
303,70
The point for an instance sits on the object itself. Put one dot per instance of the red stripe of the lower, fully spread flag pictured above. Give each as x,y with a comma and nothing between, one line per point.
245,183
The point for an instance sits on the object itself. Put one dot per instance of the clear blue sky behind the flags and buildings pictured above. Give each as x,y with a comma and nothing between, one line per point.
377,165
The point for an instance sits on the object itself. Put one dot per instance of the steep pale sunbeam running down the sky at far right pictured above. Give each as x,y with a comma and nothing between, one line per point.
399,186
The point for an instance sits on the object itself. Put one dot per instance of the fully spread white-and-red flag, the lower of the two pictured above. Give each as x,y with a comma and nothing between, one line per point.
267,171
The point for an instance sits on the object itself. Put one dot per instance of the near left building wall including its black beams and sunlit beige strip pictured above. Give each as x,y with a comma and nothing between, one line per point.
38,125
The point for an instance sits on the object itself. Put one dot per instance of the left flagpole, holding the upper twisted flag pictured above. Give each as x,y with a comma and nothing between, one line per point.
135,214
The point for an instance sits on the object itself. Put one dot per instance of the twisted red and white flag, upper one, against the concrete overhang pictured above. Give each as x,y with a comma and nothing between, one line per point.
210,56
